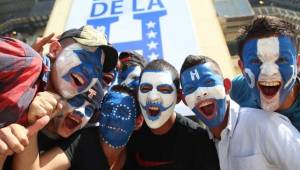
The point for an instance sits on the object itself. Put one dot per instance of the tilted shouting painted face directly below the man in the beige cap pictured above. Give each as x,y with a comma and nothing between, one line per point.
78,110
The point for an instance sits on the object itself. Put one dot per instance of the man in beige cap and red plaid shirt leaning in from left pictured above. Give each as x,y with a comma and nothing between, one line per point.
79,58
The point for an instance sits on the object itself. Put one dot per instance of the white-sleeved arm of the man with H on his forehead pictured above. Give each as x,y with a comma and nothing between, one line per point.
281,142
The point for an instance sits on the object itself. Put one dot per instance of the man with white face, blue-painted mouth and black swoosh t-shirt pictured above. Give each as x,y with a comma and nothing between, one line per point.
167,140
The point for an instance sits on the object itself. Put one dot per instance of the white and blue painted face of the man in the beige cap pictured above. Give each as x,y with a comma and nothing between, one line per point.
76,70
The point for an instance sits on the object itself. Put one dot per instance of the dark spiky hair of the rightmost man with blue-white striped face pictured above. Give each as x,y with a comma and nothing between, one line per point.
266,26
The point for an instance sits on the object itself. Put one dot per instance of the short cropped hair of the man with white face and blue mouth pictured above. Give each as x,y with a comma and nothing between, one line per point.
162,65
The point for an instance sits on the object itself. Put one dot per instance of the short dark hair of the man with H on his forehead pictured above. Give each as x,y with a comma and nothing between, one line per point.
192,60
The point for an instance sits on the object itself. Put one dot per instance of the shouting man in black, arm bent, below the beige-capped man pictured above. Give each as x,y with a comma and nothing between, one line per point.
68,141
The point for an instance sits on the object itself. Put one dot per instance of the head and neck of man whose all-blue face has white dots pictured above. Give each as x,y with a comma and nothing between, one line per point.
120,115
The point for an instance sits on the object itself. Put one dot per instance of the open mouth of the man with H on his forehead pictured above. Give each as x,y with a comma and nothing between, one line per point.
207,108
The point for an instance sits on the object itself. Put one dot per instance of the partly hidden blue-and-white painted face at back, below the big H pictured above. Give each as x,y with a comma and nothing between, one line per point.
130,77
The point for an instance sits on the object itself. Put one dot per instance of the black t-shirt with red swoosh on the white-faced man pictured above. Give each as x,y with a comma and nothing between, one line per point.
185,147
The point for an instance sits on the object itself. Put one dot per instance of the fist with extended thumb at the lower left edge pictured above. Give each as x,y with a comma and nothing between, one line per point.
14,138
